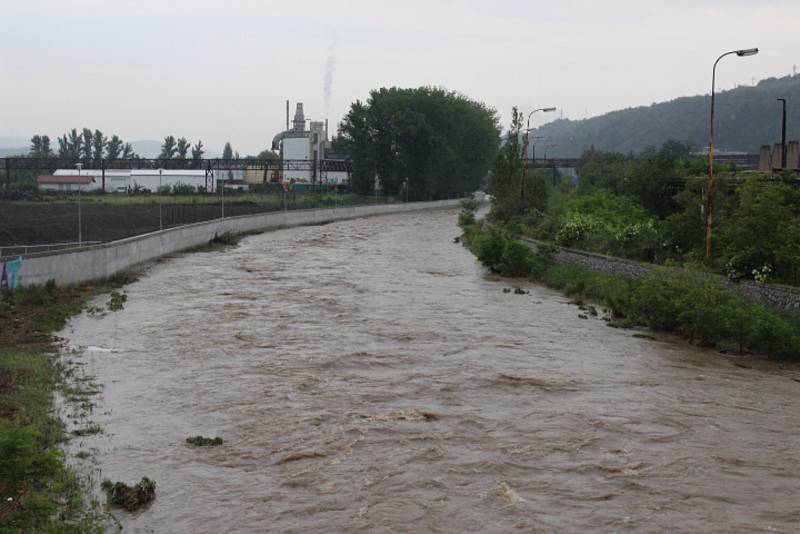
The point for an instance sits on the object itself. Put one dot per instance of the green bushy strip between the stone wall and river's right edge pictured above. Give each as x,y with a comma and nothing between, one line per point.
689,304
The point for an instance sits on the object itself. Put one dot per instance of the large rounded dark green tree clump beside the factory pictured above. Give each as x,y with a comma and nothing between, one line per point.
441,141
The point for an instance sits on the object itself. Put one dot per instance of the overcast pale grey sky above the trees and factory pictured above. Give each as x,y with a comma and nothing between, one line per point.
222,70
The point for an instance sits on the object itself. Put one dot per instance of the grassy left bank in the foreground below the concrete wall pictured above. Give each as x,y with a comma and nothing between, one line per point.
39,492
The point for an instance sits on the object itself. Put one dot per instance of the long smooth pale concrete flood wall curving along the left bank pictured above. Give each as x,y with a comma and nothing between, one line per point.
105,260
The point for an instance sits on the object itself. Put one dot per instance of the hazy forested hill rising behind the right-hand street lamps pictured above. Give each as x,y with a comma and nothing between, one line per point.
746,118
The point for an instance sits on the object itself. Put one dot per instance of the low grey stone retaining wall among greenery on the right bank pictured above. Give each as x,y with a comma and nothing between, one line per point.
784,299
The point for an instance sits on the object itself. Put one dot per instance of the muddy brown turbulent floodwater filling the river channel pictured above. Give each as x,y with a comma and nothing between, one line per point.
370,376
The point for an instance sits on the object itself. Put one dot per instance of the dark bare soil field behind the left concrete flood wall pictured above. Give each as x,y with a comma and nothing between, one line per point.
31,223
